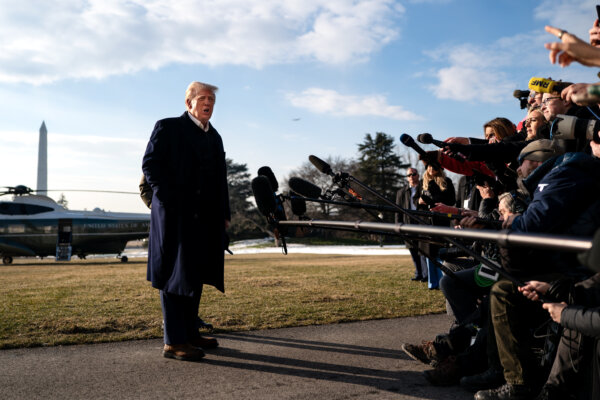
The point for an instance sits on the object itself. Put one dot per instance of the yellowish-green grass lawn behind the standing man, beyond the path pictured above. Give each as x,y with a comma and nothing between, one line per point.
44,303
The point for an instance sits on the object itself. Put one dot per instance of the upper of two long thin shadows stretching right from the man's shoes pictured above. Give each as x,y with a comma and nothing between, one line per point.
317,346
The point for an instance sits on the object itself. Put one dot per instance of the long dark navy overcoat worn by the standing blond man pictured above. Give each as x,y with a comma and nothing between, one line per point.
186,169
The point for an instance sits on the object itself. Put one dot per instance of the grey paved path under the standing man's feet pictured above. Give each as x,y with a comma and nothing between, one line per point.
360,360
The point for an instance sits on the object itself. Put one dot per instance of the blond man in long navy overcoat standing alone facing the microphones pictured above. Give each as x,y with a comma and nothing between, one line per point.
185,165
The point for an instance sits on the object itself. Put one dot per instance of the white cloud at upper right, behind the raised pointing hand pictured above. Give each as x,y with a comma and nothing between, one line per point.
487,73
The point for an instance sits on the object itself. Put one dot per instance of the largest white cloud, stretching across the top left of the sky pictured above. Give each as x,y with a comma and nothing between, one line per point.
42,42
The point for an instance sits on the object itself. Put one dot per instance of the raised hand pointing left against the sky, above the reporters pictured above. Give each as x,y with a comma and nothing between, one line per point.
570,49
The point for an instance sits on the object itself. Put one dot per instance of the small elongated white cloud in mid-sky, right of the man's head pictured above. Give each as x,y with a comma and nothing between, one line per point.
324,101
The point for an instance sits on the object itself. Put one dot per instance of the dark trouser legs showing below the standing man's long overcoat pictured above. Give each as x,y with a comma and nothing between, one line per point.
180,314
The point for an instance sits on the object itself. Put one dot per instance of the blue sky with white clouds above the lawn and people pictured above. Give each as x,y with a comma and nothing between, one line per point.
296,77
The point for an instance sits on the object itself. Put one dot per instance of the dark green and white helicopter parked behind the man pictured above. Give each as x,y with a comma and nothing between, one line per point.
35,225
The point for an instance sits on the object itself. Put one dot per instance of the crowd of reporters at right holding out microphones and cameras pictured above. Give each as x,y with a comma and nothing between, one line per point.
536,335
